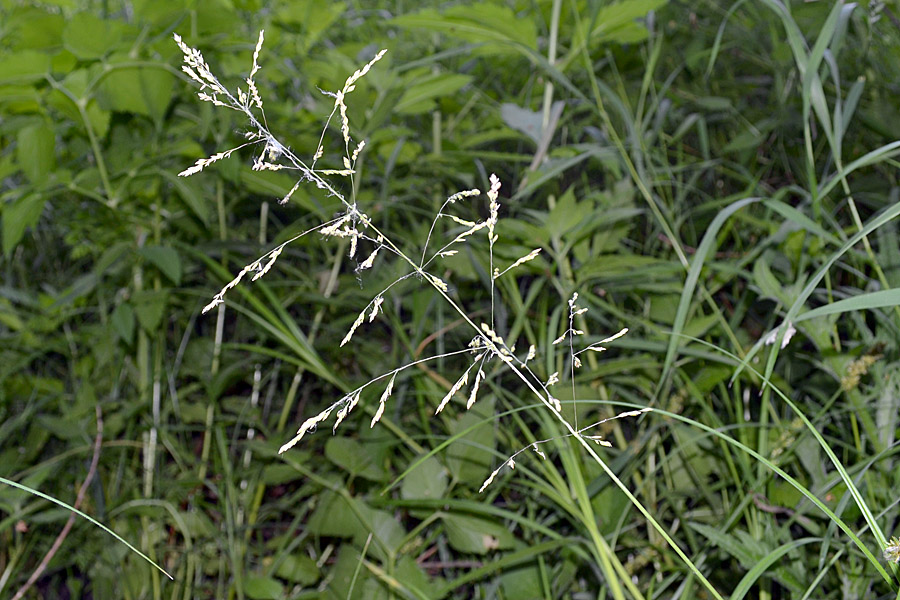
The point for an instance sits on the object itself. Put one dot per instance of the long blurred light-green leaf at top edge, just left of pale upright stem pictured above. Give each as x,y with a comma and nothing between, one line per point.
493,25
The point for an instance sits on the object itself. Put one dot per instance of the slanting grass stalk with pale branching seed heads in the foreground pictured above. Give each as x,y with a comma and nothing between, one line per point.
487,347
